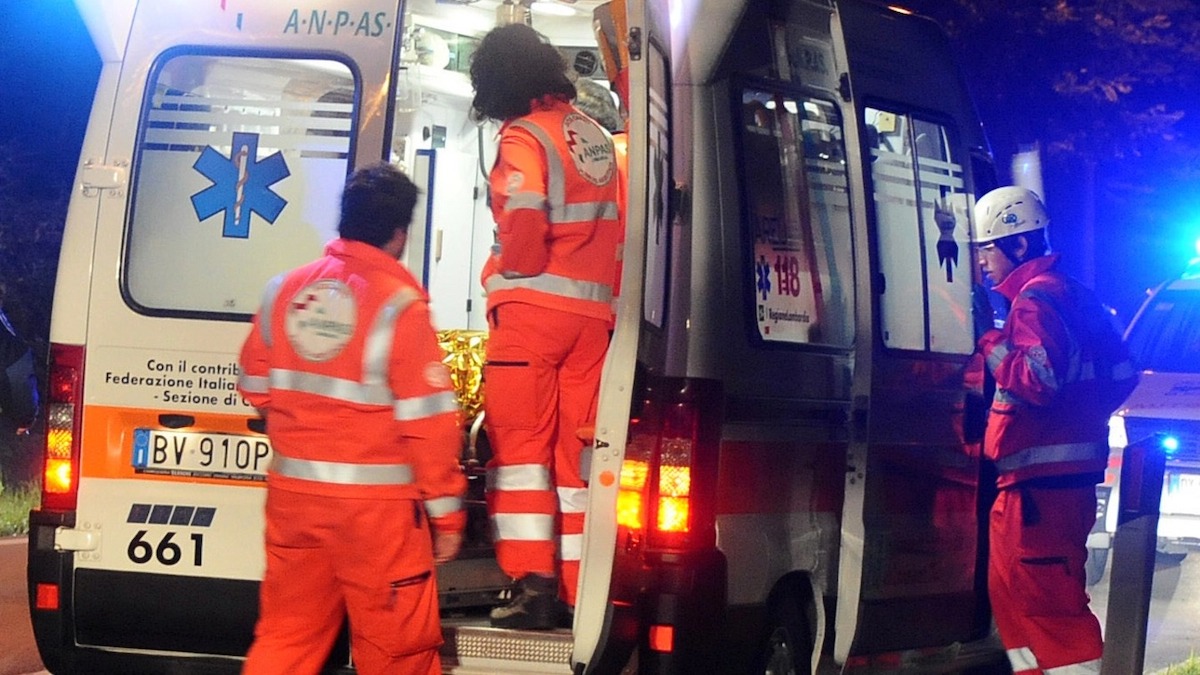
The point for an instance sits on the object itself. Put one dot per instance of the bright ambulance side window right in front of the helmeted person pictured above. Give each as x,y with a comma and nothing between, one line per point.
922,235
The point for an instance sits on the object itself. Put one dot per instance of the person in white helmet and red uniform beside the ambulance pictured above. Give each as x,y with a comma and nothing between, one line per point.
1061,369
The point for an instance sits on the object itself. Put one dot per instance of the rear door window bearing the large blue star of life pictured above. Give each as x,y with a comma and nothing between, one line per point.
238,176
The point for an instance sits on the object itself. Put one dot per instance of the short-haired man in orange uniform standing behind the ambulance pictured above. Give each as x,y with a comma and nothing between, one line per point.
344,363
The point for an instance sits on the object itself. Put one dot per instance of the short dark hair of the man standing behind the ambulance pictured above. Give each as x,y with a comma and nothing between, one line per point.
376,202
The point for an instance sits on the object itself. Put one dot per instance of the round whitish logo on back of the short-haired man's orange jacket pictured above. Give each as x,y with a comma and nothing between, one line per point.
321,320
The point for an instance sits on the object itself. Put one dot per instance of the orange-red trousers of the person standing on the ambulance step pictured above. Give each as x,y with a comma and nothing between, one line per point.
542,381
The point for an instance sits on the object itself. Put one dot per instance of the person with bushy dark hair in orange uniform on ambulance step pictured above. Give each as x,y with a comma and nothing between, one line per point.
554,192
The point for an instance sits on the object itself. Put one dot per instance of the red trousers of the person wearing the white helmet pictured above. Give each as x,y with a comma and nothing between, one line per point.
1036,580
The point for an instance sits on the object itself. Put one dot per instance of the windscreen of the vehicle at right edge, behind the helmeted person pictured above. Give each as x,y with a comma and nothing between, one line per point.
1167,334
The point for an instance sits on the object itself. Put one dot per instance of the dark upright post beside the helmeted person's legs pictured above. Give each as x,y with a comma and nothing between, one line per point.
1133,558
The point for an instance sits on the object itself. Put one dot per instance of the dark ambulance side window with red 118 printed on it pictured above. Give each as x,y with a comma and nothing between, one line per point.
797,218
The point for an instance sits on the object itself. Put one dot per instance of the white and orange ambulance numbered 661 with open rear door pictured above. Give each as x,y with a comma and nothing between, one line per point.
787,471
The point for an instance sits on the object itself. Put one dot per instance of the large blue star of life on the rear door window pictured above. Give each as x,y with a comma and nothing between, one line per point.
242,186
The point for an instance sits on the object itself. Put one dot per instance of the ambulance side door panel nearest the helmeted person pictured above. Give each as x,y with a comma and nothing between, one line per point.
914,535
